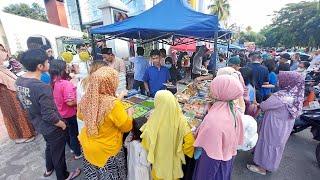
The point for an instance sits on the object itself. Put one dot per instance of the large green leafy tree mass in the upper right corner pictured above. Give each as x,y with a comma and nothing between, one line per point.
297,24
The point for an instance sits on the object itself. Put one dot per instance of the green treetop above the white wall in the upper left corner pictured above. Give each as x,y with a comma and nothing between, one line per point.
35,11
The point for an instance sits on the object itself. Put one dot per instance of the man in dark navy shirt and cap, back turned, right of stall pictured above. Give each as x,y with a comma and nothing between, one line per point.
260,74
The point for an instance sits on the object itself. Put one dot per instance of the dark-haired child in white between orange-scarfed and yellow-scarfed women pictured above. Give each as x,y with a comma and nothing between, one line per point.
138,166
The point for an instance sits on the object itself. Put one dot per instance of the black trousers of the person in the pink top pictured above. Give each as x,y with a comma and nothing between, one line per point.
72,135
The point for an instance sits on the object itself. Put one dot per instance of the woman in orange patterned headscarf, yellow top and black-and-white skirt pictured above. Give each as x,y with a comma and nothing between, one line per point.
105,120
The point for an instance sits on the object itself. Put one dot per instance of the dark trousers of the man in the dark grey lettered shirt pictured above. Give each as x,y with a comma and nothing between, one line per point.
55,153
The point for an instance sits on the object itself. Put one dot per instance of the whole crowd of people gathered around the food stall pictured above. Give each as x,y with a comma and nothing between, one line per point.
85,104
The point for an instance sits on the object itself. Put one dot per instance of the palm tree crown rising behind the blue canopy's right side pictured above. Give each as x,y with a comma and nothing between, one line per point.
221,8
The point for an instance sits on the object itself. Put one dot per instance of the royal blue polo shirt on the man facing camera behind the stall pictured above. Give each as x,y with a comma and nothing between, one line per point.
155,77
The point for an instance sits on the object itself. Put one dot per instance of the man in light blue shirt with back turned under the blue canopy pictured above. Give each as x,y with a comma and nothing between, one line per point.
140,66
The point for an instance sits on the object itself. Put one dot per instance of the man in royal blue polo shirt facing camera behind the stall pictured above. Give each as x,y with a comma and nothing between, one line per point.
155,75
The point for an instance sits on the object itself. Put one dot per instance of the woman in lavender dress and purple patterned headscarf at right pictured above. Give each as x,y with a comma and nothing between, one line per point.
281,109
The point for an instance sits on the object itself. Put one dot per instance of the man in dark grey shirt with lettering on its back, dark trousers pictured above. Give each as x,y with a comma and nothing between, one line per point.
36,98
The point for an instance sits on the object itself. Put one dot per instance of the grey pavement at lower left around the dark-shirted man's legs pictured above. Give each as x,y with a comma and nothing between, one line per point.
27,161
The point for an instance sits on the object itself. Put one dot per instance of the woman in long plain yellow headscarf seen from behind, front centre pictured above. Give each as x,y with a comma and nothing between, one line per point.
167,137
